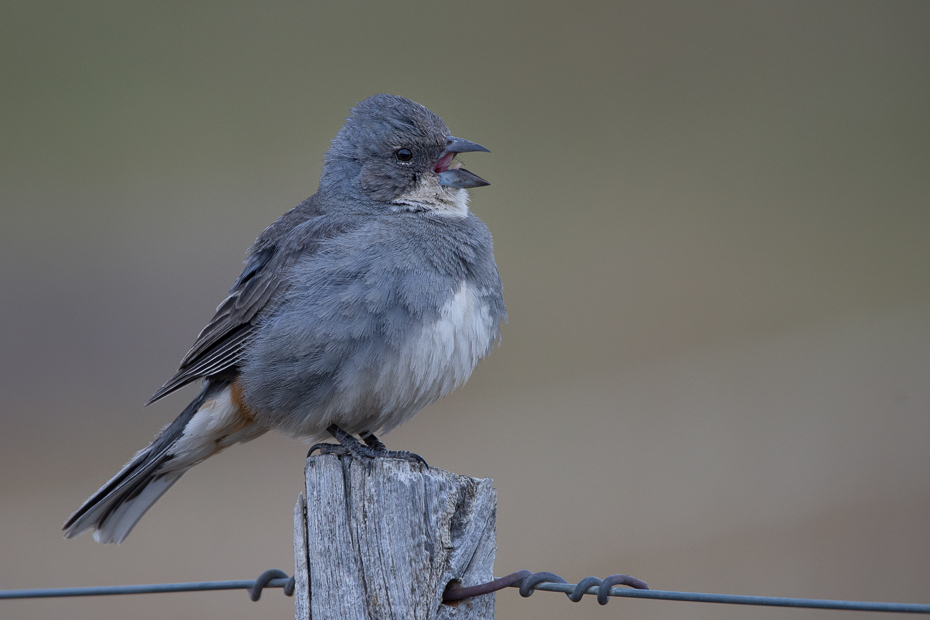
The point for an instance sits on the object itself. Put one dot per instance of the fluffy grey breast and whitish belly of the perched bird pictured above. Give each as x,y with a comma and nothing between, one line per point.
378,324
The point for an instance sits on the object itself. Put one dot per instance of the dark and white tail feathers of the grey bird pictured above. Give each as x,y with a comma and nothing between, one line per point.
211,423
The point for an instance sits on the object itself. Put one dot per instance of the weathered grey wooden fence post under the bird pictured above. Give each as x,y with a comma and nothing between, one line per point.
382,538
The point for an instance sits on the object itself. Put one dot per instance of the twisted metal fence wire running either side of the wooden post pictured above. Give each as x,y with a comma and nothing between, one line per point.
525,580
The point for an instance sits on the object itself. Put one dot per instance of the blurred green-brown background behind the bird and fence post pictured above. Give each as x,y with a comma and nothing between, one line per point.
713,225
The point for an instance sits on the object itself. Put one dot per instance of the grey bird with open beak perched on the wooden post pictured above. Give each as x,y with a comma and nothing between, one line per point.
356,309
